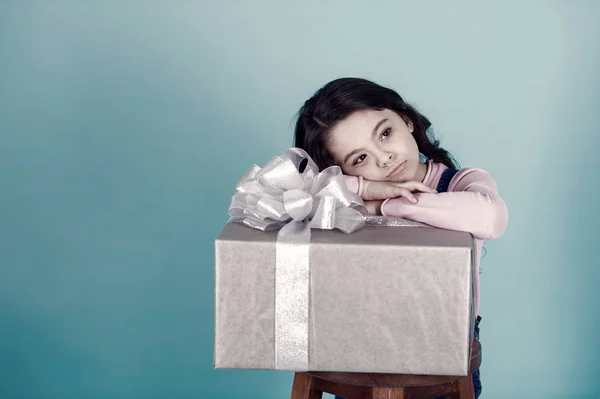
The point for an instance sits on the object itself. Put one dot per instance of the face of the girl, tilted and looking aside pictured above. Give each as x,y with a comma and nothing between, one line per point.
377,145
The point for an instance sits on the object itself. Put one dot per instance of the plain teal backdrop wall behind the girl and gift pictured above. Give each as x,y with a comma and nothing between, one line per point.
124,127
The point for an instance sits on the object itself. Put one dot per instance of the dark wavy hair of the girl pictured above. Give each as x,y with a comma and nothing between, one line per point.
340,98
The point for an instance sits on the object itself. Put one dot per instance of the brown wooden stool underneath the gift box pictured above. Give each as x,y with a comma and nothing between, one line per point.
312,385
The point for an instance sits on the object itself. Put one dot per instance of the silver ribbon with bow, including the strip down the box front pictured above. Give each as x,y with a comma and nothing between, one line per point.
279,196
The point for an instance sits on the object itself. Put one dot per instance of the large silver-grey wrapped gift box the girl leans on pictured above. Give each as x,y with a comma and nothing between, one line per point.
381,299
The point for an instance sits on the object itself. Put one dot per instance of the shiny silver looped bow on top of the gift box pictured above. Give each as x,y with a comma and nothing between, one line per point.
278,196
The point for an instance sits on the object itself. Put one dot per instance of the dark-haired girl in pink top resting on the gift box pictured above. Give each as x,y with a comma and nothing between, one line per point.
382,145
